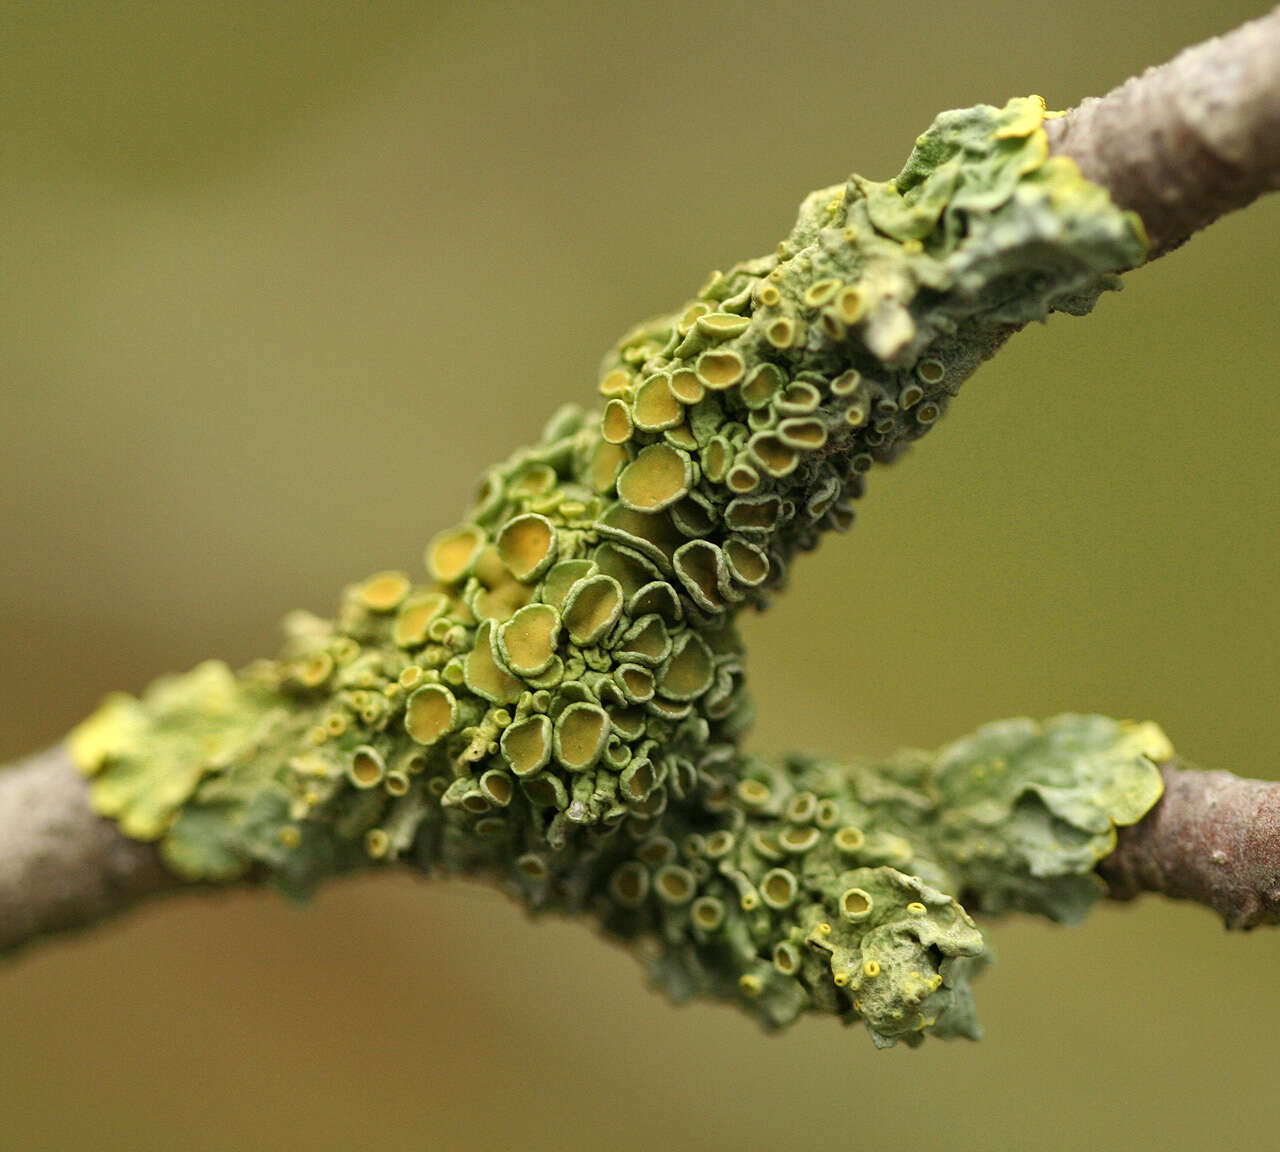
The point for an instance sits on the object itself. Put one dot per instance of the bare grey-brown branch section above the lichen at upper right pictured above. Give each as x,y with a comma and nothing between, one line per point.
1188,141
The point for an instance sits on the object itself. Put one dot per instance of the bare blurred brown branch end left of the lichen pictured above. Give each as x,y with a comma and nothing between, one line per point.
61,865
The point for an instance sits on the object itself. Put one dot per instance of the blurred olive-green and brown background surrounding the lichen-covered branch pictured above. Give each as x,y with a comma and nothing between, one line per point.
280,280
